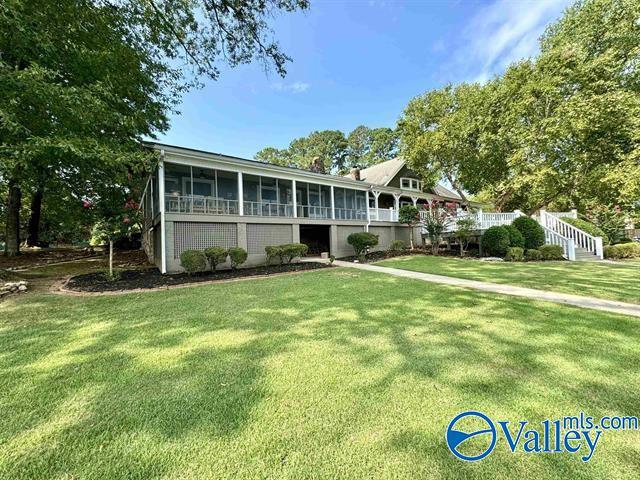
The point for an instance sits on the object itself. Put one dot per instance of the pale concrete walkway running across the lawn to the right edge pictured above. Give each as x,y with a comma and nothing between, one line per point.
575,300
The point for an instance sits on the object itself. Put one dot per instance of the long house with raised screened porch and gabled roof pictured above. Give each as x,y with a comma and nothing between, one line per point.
197,199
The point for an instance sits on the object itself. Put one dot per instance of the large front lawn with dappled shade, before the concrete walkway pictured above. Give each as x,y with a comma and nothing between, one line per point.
330,374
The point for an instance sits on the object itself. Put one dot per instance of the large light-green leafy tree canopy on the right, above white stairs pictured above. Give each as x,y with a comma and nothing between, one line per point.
561,129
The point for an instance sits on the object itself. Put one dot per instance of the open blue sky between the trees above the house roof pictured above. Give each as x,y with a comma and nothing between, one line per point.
357,62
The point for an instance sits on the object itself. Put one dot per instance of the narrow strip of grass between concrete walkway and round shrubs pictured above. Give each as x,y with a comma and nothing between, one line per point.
620,281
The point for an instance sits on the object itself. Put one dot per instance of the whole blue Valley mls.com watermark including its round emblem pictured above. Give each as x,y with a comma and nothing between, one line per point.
472,436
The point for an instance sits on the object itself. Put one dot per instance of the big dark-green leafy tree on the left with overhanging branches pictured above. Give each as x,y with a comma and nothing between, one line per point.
81,81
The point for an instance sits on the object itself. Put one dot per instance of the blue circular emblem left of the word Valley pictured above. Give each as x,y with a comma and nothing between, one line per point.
471,425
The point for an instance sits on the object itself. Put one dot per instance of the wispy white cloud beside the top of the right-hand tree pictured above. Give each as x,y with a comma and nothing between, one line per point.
501,33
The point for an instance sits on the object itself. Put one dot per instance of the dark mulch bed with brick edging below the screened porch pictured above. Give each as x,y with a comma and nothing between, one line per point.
152,278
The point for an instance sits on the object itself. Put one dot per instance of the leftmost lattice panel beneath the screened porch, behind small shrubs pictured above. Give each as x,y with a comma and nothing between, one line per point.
198,236
